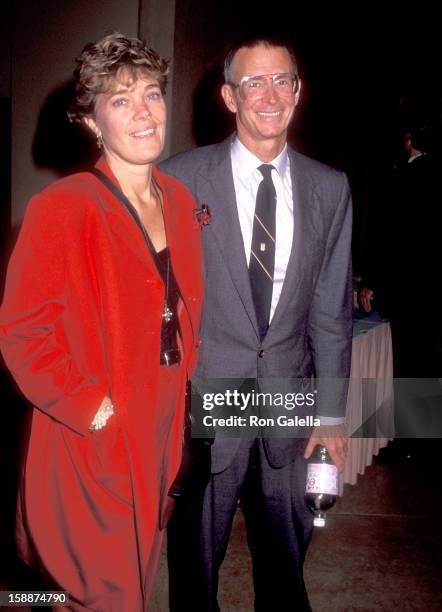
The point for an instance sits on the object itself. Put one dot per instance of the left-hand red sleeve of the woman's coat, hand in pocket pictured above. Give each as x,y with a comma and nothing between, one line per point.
41,342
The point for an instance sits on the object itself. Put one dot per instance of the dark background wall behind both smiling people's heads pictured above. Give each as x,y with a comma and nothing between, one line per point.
356,61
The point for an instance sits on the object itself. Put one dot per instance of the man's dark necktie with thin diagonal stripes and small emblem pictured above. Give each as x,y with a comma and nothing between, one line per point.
262,257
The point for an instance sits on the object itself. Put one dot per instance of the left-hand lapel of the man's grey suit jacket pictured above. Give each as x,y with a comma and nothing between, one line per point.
218,192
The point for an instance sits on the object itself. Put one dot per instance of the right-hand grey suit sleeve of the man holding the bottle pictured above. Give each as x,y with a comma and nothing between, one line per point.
330,320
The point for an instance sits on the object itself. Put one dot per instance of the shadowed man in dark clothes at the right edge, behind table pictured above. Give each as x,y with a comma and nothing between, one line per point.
401,278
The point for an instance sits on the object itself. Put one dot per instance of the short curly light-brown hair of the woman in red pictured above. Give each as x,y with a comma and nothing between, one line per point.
113,57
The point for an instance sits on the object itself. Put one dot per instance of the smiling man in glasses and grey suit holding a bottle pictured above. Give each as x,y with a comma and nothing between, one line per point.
278,304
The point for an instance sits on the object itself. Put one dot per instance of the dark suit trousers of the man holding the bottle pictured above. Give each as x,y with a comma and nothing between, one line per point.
278,525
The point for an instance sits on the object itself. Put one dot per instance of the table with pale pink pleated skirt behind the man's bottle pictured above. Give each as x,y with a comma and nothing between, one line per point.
370,407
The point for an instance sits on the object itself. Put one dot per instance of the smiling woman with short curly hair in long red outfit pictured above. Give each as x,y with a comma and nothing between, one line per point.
98,327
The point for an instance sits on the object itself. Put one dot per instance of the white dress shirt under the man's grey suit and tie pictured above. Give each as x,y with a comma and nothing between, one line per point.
246,179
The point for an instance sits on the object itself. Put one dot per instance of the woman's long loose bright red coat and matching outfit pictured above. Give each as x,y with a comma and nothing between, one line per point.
81,320
